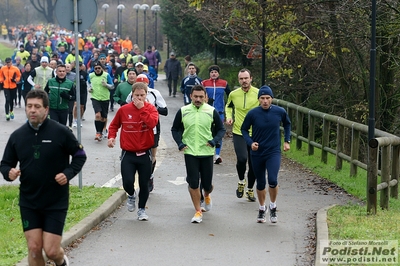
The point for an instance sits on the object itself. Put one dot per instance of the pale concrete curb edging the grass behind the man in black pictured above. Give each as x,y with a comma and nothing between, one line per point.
88,222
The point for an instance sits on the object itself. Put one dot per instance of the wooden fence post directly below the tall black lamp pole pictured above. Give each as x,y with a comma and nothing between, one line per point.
372,173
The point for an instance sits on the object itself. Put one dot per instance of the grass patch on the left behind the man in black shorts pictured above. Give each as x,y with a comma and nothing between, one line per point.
12,240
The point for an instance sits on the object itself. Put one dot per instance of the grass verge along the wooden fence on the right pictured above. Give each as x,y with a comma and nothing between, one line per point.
351,222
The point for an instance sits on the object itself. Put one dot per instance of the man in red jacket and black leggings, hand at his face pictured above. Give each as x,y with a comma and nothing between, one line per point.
136,120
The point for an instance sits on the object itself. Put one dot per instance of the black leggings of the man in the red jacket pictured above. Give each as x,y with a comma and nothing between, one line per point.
130,163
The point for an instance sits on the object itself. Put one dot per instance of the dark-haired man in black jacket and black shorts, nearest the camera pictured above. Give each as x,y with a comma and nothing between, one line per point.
43,149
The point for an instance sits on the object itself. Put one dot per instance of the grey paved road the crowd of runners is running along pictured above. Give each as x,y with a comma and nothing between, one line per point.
228,235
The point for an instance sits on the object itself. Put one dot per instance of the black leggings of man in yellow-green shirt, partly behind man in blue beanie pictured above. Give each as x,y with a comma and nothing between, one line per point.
242,151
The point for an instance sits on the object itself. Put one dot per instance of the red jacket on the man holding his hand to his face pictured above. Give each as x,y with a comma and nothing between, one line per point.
136,127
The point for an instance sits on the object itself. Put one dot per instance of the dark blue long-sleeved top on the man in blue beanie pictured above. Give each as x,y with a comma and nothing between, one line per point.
266,129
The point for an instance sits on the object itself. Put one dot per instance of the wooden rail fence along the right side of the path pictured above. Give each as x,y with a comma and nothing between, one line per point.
383,150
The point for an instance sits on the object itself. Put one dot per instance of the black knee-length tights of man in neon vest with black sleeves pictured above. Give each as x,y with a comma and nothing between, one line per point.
199,167
